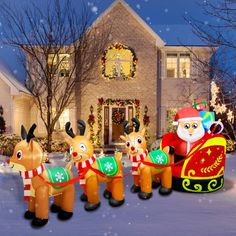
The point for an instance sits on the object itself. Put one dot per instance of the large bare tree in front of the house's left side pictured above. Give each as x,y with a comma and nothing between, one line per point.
59,48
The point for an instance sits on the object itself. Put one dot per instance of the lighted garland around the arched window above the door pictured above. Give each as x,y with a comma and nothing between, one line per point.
114,75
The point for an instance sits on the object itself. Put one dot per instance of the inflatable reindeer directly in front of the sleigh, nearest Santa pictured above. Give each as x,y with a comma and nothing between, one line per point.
144,170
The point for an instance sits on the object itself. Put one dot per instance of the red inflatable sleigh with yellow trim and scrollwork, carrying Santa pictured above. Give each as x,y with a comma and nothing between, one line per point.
202,170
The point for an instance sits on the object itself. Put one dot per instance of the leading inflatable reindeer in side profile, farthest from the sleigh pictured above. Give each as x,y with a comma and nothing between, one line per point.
27,158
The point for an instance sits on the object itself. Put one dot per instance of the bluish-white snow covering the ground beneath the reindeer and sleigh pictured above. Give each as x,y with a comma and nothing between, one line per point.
180,214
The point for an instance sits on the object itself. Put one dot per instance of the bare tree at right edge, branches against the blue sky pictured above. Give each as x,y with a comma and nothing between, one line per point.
219,33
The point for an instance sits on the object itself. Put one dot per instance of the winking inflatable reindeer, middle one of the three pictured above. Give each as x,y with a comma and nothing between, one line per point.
95,170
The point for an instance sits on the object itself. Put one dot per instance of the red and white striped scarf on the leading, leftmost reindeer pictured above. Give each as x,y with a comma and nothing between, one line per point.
27,176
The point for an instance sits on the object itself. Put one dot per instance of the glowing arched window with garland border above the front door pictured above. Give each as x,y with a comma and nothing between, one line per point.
119,62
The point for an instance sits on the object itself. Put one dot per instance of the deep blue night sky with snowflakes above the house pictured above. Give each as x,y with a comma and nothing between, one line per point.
165,17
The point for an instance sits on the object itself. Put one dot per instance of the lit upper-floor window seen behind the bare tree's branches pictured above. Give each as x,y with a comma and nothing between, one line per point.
60,63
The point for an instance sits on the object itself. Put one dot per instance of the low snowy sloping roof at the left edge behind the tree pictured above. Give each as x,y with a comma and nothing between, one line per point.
12,82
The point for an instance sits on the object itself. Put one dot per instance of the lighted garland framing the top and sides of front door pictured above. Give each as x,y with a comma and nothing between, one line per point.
117,102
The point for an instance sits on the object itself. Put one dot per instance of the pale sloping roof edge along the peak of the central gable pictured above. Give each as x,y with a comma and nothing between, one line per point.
159,41
